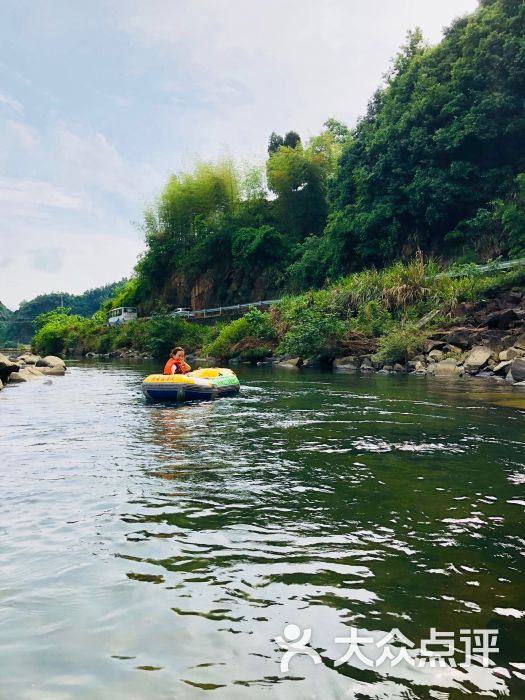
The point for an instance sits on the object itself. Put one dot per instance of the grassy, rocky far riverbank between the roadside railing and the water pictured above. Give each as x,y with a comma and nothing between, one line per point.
410,317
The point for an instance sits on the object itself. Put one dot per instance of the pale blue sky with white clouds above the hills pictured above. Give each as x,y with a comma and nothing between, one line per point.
101,101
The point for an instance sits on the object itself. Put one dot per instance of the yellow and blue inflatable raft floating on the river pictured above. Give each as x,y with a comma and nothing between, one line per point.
207,383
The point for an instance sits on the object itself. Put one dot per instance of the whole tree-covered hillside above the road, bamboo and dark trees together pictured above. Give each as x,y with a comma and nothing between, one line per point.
435,165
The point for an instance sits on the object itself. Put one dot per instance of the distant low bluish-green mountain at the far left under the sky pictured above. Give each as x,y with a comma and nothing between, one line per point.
17,326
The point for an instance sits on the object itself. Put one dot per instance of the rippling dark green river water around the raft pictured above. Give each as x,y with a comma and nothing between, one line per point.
153,551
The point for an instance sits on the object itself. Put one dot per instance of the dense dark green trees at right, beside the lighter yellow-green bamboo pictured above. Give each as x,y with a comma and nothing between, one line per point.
433,164
